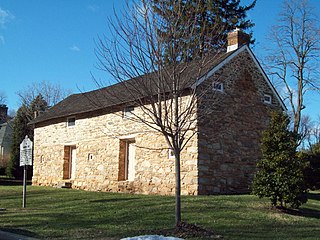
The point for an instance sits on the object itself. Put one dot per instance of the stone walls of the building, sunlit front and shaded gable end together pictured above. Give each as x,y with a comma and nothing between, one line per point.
220,158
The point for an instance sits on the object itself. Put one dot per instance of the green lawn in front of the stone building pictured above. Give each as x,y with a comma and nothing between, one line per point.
73,214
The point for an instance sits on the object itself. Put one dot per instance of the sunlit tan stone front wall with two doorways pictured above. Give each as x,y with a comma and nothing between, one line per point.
97,141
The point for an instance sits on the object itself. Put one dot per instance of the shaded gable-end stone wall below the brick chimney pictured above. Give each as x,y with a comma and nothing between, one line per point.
229,136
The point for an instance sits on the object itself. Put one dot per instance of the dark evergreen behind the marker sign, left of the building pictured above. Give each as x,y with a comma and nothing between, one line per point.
20,130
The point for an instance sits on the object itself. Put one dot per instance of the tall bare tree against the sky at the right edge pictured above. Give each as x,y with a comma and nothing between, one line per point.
294,56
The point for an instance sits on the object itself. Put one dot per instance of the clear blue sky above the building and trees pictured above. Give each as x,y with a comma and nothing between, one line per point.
53,40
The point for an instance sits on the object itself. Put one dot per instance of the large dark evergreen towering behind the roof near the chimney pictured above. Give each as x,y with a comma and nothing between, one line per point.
204,35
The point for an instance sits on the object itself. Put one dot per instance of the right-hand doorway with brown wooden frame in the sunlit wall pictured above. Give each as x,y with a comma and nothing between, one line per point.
126,160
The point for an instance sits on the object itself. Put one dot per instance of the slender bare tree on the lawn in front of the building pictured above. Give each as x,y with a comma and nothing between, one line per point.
167,95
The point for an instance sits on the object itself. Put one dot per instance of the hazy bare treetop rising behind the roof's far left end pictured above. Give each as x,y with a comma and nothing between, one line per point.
51,93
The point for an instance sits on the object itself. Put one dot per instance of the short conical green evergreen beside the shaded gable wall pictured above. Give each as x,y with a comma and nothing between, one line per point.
280,174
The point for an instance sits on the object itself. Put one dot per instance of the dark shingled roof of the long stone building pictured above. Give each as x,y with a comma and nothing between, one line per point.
116,94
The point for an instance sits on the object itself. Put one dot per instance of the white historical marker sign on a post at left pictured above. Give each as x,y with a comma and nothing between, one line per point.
25,160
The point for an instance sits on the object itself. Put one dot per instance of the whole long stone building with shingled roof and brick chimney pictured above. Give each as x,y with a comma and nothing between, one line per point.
82,145
